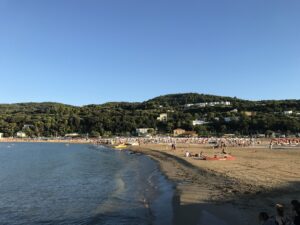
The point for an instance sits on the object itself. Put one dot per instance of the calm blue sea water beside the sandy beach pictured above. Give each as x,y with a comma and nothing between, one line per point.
80,184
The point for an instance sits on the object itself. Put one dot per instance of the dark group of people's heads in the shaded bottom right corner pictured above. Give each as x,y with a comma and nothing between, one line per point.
282,217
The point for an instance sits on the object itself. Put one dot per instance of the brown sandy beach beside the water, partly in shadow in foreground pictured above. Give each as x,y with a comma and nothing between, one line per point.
228,192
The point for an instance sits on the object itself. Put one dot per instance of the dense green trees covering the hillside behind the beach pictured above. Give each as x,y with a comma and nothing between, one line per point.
122,118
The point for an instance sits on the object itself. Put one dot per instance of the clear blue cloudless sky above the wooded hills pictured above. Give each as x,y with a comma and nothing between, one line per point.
93,51
